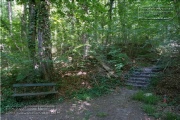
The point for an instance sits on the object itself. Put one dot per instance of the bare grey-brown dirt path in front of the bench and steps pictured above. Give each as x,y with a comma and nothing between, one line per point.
115,106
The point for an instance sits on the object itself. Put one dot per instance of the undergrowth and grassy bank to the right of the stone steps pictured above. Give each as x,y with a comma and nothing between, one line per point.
162,99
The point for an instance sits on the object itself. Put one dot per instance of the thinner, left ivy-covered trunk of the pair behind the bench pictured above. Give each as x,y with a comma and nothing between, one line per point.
32,30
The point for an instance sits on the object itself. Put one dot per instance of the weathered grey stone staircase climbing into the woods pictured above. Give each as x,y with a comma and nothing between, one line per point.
140,77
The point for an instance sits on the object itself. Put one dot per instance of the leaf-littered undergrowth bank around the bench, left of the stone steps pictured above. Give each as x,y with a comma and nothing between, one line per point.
78,79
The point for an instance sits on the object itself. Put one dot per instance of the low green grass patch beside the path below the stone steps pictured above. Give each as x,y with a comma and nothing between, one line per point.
154,105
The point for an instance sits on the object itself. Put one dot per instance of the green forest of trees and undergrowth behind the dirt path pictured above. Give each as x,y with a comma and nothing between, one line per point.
88,47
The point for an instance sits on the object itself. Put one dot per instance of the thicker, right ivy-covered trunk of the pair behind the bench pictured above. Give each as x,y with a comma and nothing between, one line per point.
44,42
